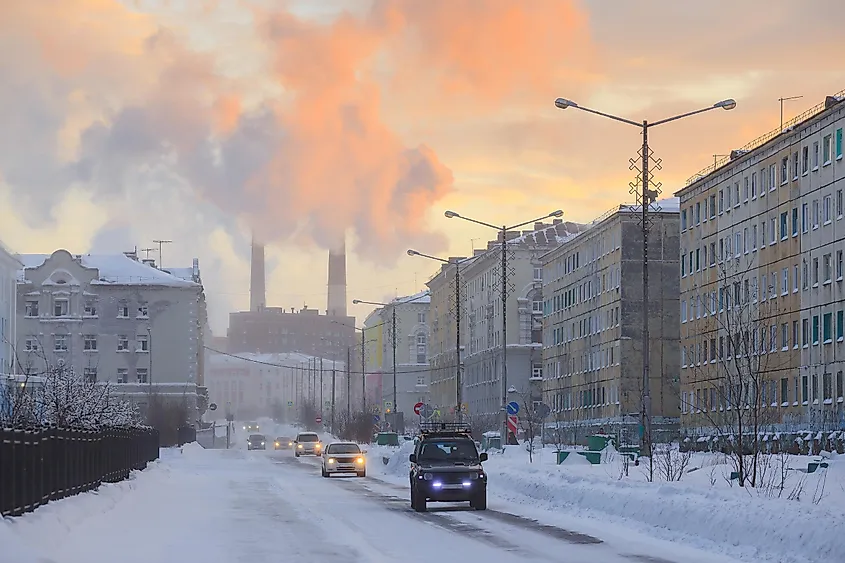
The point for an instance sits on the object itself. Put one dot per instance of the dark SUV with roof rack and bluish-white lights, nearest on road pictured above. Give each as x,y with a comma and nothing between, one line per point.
446,467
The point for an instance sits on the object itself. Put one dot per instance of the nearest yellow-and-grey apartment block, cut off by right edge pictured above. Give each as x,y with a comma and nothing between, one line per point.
762,240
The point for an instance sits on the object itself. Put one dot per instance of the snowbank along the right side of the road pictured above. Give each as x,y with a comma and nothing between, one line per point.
696,510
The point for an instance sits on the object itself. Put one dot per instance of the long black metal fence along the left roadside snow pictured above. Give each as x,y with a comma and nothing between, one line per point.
38,465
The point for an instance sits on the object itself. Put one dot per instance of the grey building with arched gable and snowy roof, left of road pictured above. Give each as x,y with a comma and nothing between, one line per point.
110,318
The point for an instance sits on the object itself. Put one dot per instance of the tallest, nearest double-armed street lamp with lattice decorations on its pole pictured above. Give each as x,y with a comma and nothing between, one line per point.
646,197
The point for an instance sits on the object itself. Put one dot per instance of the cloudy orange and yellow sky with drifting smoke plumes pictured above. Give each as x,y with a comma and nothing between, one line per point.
301,122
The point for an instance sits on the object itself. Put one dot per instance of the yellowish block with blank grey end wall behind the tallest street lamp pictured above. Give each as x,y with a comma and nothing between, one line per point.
592,310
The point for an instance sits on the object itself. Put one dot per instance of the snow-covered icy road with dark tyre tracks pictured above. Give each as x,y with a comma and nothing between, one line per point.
210,506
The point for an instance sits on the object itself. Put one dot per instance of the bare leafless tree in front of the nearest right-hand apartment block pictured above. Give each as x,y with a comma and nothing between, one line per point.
732,363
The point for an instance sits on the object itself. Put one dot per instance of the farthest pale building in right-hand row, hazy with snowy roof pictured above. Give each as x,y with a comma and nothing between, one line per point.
411,352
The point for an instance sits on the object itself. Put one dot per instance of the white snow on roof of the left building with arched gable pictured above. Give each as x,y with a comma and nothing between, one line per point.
114,269
